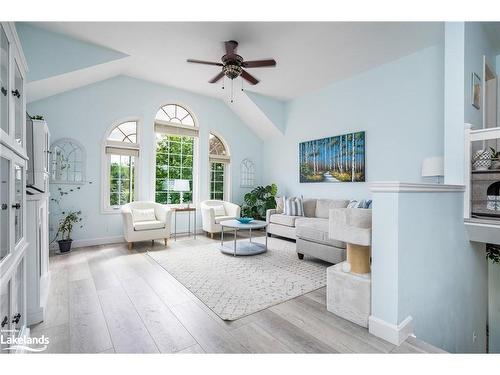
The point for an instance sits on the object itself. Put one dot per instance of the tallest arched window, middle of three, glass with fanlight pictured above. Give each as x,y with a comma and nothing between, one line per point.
176,139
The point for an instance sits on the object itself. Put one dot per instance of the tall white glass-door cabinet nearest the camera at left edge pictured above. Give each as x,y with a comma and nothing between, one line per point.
13,164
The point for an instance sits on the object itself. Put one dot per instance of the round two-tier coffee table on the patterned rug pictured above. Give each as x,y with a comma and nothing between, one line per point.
242,247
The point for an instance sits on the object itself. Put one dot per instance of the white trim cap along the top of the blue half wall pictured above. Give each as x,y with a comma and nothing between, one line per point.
413,187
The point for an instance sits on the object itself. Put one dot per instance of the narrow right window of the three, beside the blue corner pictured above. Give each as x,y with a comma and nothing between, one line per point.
219,168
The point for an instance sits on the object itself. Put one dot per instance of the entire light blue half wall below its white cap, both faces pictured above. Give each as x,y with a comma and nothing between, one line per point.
425,268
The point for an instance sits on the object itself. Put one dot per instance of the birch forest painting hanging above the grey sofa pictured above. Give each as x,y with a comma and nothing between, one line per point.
334,159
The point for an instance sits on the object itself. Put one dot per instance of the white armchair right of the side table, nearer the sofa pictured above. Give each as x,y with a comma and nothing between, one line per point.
215,211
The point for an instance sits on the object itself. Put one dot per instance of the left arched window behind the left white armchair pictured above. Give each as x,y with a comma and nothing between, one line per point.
121,154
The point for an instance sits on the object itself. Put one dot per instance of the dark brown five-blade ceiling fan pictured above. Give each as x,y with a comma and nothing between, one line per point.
233,64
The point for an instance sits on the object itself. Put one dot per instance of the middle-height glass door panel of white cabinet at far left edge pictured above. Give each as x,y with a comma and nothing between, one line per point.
4,207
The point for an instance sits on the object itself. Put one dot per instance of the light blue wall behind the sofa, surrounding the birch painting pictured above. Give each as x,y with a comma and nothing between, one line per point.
399,105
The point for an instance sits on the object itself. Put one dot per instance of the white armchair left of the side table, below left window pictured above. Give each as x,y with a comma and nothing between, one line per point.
144,226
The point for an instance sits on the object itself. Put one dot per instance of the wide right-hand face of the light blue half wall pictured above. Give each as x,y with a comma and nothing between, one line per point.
443,276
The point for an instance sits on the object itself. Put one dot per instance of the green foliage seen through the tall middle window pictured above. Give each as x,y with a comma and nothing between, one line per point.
174,160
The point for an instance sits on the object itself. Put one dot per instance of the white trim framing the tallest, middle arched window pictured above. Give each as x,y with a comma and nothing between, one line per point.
196,153
